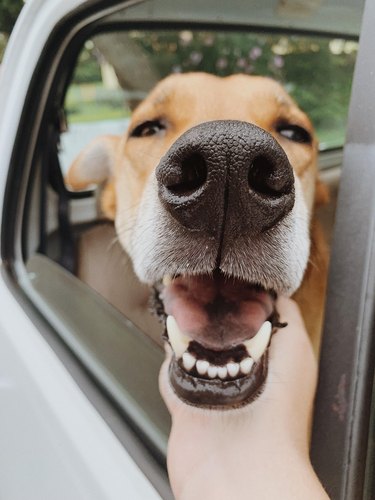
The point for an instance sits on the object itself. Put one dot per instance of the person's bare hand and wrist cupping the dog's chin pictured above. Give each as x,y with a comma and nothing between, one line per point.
260,450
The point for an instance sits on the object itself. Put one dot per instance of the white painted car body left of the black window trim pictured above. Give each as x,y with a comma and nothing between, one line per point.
54,443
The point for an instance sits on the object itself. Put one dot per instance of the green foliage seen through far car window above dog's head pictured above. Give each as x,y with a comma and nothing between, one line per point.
317,72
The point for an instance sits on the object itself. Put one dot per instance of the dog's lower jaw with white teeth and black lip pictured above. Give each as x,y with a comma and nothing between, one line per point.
220,380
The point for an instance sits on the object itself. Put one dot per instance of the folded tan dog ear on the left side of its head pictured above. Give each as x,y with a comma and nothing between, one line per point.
94,165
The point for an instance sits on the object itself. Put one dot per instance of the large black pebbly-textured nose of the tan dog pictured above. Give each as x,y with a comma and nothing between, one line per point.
226,173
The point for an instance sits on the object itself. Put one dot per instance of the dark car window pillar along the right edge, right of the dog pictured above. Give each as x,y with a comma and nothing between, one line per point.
344,405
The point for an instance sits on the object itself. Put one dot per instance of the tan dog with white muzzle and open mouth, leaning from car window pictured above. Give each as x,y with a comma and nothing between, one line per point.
213,191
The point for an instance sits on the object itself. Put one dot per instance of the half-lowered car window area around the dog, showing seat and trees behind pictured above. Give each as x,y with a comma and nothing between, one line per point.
113,73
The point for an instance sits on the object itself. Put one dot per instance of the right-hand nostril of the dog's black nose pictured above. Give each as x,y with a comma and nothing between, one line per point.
266,178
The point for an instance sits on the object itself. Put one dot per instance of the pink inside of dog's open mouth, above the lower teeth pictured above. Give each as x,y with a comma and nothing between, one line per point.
216,311
